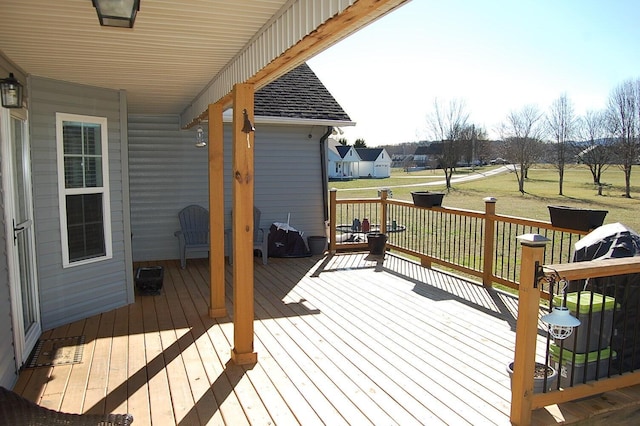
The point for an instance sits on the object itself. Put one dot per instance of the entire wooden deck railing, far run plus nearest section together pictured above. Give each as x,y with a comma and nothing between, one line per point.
485,245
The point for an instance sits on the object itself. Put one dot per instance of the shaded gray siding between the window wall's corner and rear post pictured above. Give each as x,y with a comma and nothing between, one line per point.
166,173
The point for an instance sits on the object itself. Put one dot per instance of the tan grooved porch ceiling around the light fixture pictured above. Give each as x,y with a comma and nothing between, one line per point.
175,50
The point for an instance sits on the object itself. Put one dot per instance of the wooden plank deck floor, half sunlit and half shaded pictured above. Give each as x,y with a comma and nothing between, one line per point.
347,339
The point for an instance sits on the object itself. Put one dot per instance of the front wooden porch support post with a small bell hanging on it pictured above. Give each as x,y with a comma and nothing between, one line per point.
243,190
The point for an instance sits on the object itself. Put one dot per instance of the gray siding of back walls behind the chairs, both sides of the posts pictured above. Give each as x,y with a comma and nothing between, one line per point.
167,173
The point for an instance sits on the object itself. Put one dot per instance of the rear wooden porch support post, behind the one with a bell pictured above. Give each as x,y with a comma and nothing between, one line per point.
217,308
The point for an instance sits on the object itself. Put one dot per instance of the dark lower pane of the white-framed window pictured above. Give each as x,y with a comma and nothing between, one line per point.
85,226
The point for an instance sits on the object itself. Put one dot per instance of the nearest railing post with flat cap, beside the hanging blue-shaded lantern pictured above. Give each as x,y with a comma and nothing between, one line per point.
533,246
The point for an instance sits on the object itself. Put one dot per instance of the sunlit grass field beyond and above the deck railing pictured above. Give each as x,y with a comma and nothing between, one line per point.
541,190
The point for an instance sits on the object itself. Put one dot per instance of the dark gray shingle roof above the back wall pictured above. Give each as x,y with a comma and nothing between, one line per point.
298,94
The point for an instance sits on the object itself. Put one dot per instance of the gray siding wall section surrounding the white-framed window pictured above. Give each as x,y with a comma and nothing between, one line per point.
69,294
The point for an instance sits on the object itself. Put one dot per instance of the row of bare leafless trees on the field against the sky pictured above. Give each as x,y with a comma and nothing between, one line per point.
559,136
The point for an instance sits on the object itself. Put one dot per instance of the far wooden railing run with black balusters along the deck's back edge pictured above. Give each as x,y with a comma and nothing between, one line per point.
477,243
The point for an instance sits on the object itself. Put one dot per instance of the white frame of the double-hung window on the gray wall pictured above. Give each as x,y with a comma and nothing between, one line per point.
63,191
